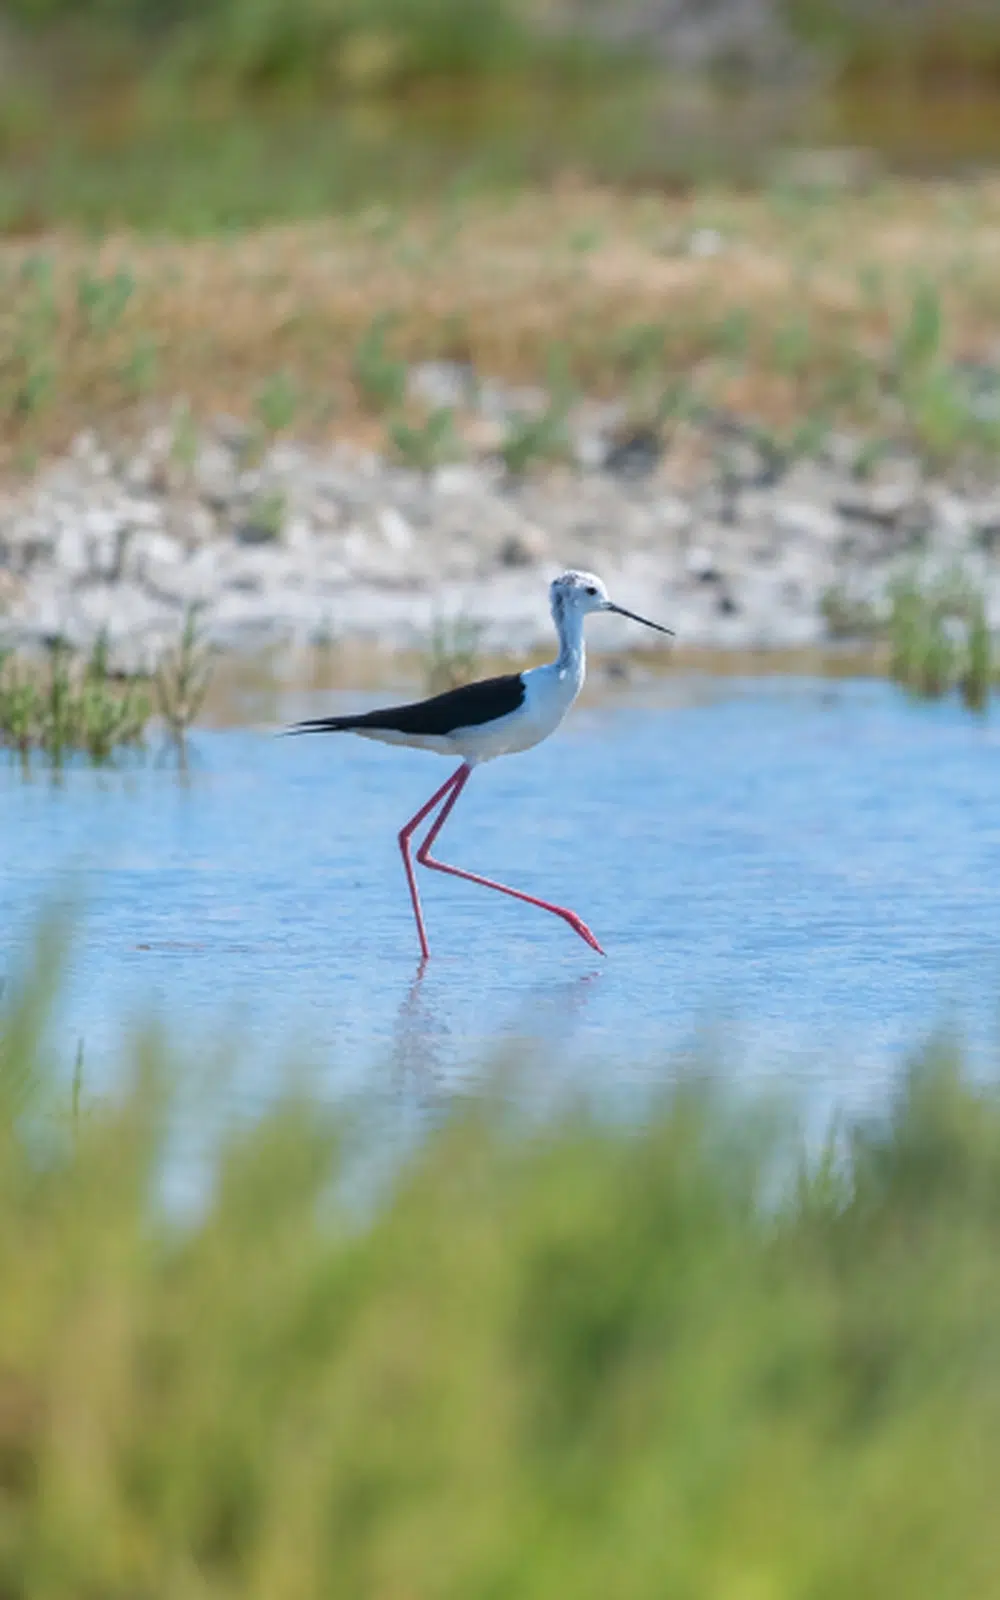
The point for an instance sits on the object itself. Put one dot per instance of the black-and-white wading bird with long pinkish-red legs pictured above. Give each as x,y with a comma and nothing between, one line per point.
484,721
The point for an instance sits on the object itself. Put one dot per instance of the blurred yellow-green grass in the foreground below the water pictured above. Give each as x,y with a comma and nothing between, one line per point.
575,1359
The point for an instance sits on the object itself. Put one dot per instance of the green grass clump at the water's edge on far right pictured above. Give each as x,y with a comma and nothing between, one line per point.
940,639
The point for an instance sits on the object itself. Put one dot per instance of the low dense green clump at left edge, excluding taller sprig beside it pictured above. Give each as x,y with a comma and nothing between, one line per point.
70,706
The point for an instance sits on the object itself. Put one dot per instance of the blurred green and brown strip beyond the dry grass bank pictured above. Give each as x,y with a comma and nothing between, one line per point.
276,108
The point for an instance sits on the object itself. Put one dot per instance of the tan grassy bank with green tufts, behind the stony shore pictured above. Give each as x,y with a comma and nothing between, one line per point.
871,311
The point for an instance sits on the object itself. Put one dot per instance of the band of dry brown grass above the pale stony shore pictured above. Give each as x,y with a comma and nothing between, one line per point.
806,298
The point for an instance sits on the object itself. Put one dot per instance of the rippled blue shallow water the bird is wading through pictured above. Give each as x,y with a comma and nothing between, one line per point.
802,878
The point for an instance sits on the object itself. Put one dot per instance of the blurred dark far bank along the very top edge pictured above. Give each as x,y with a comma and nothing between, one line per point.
338,46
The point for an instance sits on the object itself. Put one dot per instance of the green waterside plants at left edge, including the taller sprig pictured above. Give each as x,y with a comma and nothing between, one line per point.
76,705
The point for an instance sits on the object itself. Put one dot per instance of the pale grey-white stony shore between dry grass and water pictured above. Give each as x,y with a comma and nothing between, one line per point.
335,545
